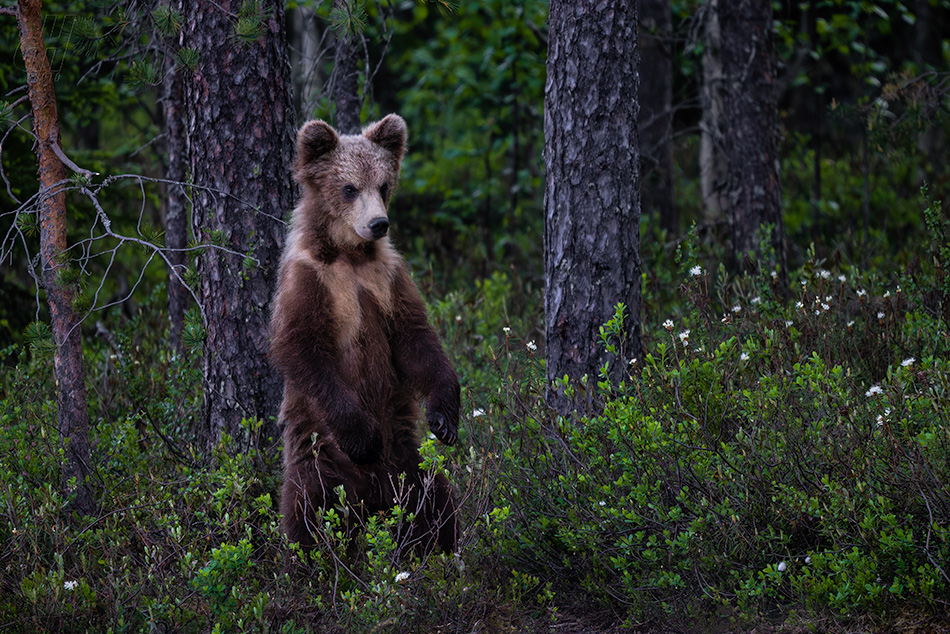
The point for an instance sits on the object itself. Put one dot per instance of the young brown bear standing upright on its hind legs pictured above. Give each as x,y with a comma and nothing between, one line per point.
351,337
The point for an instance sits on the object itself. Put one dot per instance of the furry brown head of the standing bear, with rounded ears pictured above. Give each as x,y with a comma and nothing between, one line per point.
347,181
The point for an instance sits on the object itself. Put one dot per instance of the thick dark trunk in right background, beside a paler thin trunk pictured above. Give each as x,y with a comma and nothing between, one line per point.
751,114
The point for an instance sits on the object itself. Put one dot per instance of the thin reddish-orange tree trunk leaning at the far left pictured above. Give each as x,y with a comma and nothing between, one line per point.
72,416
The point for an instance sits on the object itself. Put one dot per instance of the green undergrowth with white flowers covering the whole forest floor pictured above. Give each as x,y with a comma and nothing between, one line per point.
766,460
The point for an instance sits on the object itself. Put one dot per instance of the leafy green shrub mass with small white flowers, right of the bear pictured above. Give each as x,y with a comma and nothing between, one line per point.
755,460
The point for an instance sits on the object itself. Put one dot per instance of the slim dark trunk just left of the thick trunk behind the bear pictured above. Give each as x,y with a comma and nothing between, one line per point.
176,203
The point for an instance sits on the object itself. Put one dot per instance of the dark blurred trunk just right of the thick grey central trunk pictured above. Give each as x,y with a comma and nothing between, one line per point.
656,113
